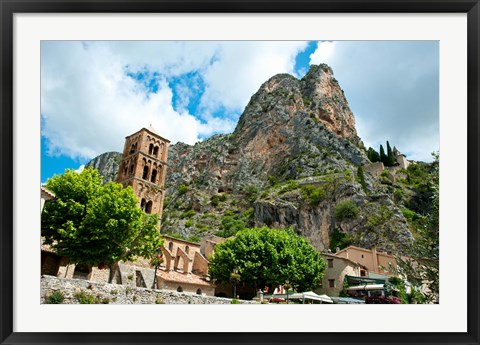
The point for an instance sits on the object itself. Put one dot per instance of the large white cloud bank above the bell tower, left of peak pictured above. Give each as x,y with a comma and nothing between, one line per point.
89,103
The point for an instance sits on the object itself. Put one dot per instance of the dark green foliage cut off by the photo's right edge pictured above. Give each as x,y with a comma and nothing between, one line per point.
421,264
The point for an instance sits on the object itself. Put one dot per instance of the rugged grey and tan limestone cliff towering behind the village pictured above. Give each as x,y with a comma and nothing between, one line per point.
294,137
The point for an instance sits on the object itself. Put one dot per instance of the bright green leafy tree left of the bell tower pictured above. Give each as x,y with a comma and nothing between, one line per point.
96,224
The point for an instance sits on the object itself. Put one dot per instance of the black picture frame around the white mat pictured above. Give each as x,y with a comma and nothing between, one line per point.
7,174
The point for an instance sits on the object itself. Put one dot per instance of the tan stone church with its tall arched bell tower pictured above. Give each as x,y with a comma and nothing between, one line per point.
184,267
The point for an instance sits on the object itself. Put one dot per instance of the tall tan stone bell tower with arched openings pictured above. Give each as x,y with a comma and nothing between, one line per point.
143,166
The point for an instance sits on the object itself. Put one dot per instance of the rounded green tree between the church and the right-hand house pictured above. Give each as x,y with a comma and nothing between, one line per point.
264,256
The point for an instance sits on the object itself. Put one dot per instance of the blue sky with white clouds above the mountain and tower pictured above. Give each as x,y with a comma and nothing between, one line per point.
93,94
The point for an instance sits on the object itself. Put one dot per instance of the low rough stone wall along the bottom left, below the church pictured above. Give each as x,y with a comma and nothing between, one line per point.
121,294
